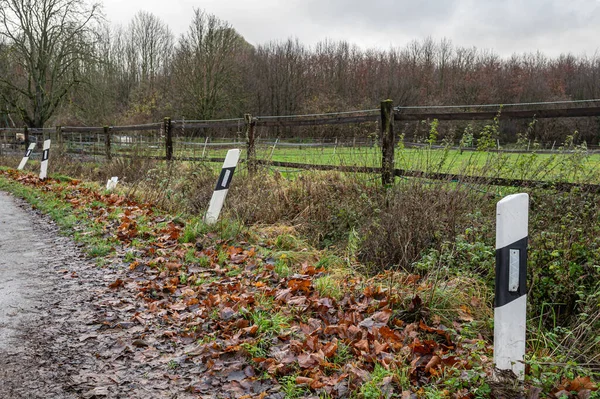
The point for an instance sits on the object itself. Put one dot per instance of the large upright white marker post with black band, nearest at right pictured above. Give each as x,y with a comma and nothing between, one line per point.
510,303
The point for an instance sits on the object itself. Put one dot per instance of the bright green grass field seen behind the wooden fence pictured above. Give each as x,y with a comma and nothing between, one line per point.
576,165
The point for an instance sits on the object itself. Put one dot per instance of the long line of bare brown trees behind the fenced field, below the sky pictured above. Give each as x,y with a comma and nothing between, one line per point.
142,72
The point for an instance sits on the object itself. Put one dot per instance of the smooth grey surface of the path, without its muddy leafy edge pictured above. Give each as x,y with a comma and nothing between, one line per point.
28,277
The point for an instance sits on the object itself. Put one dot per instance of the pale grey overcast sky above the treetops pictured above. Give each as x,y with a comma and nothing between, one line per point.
505,26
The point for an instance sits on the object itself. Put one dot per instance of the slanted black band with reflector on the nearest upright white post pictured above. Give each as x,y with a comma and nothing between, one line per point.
504,292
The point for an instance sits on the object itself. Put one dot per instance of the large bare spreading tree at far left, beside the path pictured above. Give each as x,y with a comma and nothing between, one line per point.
47,39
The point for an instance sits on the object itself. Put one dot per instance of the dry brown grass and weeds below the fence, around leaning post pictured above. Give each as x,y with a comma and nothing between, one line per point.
394,226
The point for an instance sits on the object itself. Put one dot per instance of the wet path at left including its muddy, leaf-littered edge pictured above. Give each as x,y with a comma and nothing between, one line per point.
64,333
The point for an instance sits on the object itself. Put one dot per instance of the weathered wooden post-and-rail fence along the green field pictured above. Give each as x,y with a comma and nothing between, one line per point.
386,115
